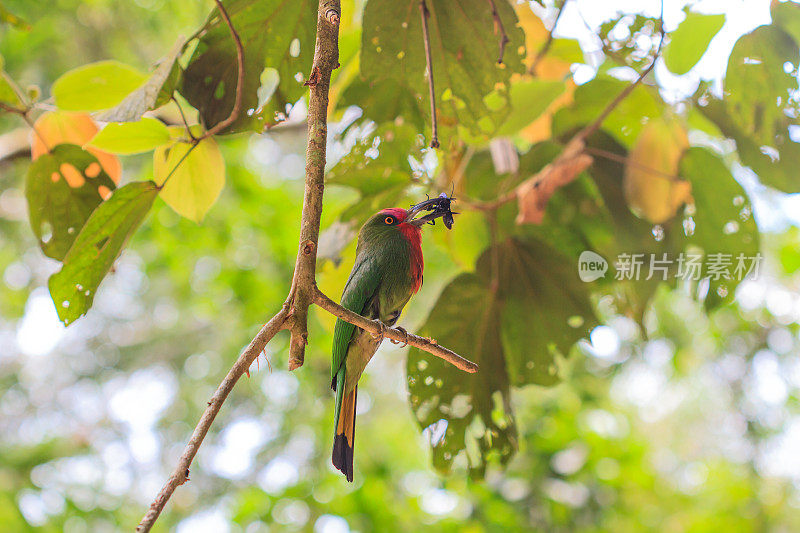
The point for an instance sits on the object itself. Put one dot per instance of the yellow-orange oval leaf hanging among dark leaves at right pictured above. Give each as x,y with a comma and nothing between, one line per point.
652,188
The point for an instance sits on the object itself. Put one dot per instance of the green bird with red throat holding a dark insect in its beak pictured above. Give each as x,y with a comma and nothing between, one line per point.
387,272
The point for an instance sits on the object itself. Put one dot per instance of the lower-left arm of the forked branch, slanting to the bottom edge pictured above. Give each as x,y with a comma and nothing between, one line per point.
181,473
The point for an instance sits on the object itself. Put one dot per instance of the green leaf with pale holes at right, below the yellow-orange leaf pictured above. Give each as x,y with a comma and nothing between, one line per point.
721,222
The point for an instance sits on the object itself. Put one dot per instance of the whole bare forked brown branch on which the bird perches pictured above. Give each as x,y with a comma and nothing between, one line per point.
294,313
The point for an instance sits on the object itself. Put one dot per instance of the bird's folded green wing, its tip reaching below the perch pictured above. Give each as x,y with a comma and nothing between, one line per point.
359,292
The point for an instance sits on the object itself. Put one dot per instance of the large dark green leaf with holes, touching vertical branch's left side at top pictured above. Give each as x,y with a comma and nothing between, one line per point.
277,35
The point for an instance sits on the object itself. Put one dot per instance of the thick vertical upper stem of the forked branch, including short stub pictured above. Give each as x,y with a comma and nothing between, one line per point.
326,58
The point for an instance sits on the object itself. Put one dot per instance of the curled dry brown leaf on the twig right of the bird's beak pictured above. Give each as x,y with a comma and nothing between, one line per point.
533,195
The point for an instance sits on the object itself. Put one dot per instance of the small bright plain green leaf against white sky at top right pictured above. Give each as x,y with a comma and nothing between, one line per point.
689,42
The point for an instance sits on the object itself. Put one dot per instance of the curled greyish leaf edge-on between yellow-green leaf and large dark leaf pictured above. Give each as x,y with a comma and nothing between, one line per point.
154,93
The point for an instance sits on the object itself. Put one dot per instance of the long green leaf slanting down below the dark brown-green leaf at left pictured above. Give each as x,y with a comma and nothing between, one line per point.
97,246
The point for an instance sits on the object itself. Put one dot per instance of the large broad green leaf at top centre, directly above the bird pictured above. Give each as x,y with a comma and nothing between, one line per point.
464,50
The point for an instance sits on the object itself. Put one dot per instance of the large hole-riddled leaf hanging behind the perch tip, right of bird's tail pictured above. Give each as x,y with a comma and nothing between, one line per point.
461,412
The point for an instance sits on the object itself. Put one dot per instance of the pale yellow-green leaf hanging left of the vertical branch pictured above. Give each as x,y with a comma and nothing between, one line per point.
197,179
